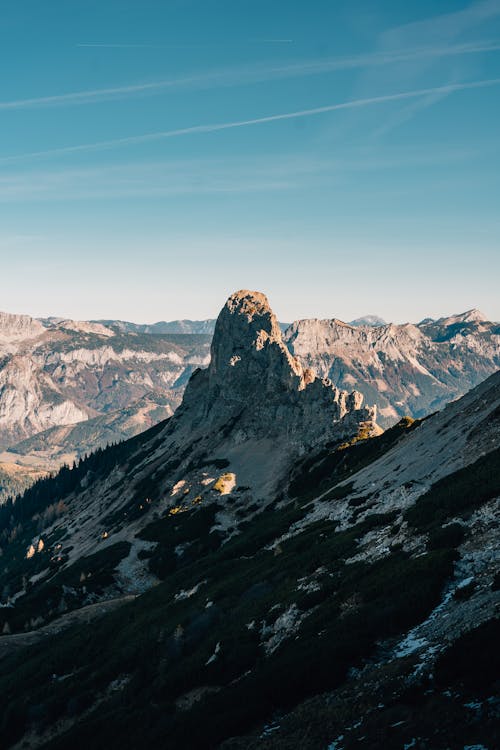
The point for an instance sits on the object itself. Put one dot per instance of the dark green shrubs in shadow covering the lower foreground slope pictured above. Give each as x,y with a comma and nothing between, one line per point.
165,642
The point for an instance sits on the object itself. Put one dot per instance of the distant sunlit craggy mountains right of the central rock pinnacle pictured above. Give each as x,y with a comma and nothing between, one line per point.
403,369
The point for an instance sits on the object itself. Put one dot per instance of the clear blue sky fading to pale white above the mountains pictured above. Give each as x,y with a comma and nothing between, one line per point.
342,156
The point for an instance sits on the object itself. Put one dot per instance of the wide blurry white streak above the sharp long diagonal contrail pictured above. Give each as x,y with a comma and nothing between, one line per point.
255,74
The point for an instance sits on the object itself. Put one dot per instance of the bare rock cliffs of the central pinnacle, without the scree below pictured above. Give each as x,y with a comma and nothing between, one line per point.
255,382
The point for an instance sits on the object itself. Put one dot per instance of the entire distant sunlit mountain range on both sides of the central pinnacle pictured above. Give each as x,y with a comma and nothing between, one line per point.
68,387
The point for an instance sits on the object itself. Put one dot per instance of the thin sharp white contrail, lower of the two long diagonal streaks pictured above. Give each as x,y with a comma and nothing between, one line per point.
213,127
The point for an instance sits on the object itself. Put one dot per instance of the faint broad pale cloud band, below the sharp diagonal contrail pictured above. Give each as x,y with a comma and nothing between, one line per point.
181,177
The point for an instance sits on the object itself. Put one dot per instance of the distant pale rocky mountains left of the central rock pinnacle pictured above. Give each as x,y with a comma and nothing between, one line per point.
59,373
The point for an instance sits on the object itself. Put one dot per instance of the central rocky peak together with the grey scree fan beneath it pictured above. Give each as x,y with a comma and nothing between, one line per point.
256,405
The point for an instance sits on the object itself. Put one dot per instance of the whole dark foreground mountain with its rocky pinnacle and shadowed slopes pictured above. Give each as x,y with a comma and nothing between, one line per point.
262,570
